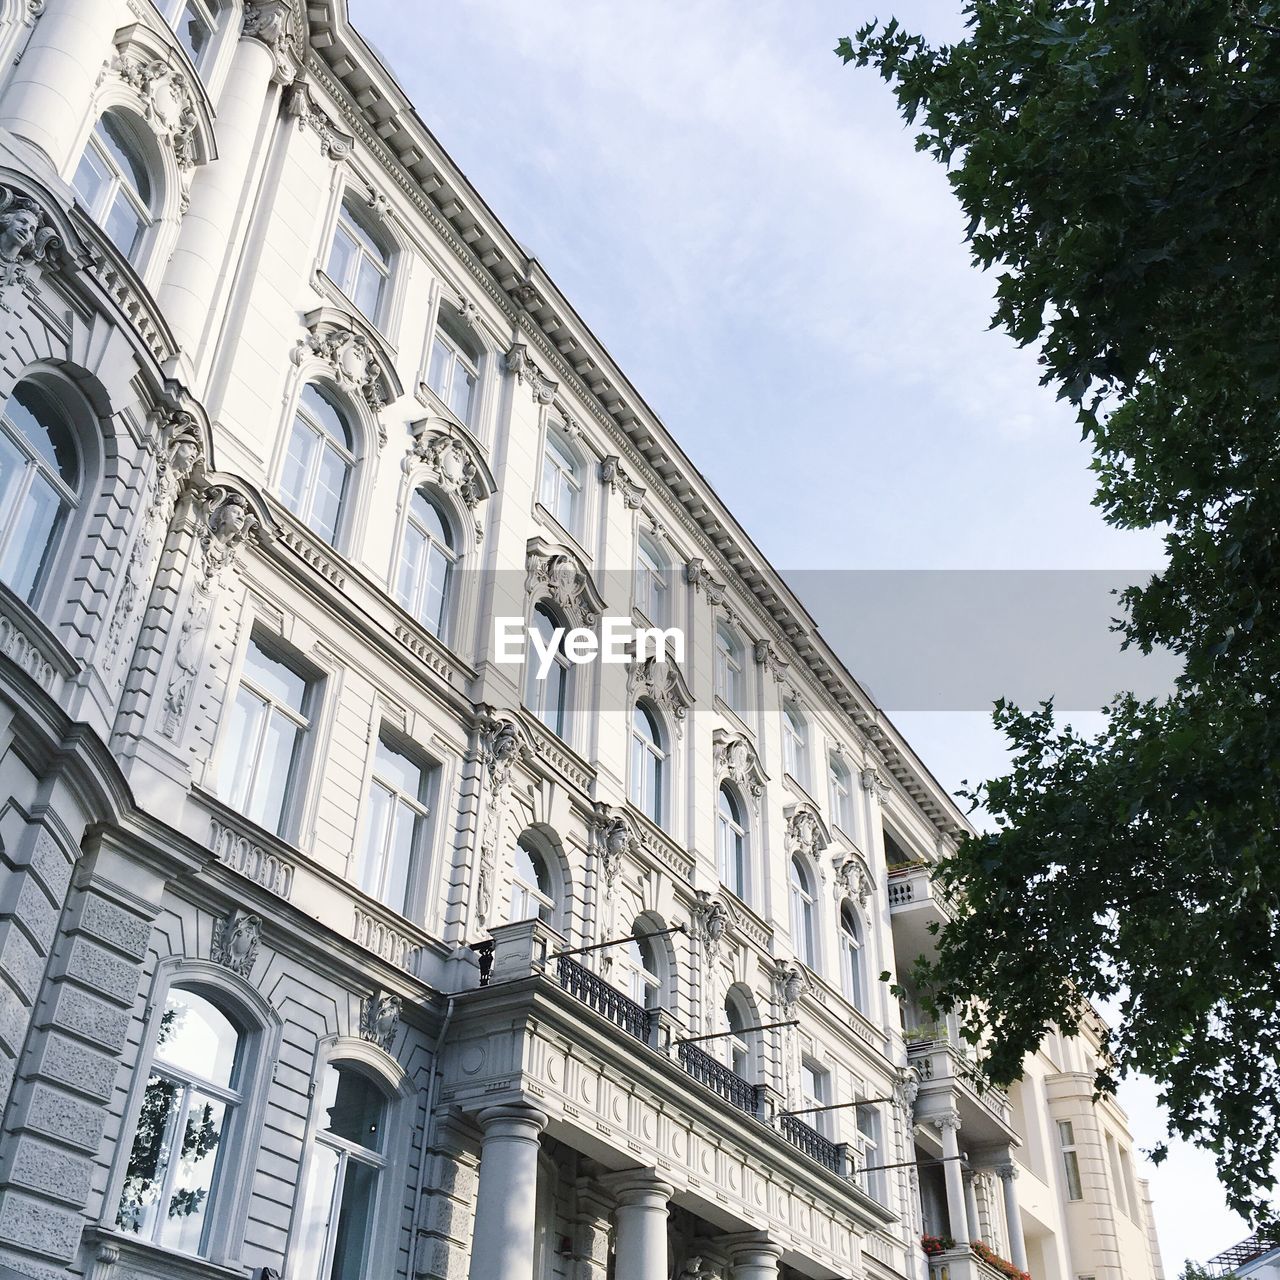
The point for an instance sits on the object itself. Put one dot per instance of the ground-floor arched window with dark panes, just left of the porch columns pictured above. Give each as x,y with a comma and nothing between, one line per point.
335,1233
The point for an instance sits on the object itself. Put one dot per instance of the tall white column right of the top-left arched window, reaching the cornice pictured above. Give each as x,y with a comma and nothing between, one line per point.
195,269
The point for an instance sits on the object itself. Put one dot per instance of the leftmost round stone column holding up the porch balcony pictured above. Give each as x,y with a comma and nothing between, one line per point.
506,1203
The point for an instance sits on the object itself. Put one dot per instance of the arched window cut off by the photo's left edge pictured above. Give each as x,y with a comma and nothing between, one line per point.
40,478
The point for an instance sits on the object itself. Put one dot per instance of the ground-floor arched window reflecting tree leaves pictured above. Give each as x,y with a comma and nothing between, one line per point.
189,1109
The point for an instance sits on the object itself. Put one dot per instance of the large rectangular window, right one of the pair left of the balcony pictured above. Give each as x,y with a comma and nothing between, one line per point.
395,828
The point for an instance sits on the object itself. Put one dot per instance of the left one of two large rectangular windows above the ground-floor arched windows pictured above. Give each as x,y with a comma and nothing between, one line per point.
266,739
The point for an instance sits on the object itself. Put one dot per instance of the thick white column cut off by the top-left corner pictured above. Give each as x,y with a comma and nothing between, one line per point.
51,89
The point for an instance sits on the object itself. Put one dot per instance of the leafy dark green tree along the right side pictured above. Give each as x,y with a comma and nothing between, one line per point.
1118,166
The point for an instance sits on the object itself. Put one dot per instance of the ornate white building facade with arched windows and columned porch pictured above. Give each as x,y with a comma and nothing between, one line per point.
332,948
